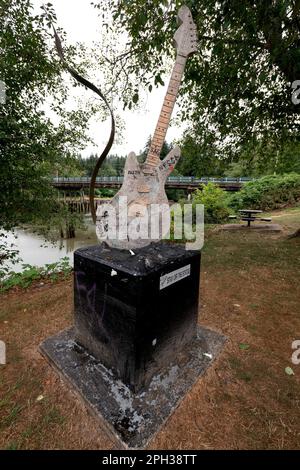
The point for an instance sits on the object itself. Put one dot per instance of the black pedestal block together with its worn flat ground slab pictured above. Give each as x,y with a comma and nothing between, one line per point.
135,350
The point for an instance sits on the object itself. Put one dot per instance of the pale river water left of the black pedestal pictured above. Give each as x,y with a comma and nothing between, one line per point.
34,250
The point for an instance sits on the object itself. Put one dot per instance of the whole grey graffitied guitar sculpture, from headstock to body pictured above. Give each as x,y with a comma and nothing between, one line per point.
143,191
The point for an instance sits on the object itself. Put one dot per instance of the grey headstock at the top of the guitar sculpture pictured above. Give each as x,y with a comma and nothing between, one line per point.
185,37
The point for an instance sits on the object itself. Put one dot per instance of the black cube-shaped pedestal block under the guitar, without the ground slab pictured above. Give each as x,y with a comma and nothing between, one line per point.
136,313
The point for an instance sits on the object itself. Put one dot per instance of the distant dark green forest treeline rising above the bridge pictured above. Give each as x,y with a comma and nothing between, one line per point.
198,161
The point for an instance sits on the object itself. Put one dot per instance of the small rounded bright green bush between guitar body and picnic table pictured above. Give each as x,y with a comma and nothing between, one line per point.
215,204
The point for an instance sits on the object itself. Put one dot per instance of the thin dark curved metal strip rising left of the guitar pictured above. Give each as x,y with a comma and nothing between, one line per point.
108,146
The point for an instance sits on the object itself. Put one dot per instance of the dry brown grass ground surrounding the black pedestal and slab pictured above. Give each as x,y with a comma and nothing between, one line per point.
249,292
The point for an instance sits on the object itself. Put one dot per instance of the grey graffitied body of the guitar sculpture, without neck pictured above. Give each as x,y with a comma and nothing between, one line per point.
141,203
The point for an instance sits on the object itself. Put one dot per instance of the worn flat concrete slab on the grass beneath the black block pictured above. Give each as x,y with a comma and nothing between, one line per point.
132,420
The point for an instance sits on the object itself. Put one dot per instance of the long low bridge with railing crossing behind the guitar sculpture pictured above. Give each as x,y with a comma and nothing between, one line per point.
189,183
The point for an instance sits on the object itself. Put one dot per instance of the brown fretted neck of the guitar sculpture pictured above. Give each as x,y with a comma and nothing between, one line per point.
166,112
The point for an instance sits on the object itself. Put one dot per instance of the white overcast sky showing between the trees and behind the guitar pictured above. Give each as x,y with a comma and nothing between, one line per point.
81,23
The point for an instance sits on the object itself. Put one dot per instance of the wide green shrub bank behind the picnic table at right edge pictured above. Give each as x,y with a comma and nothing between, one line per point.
268,193
